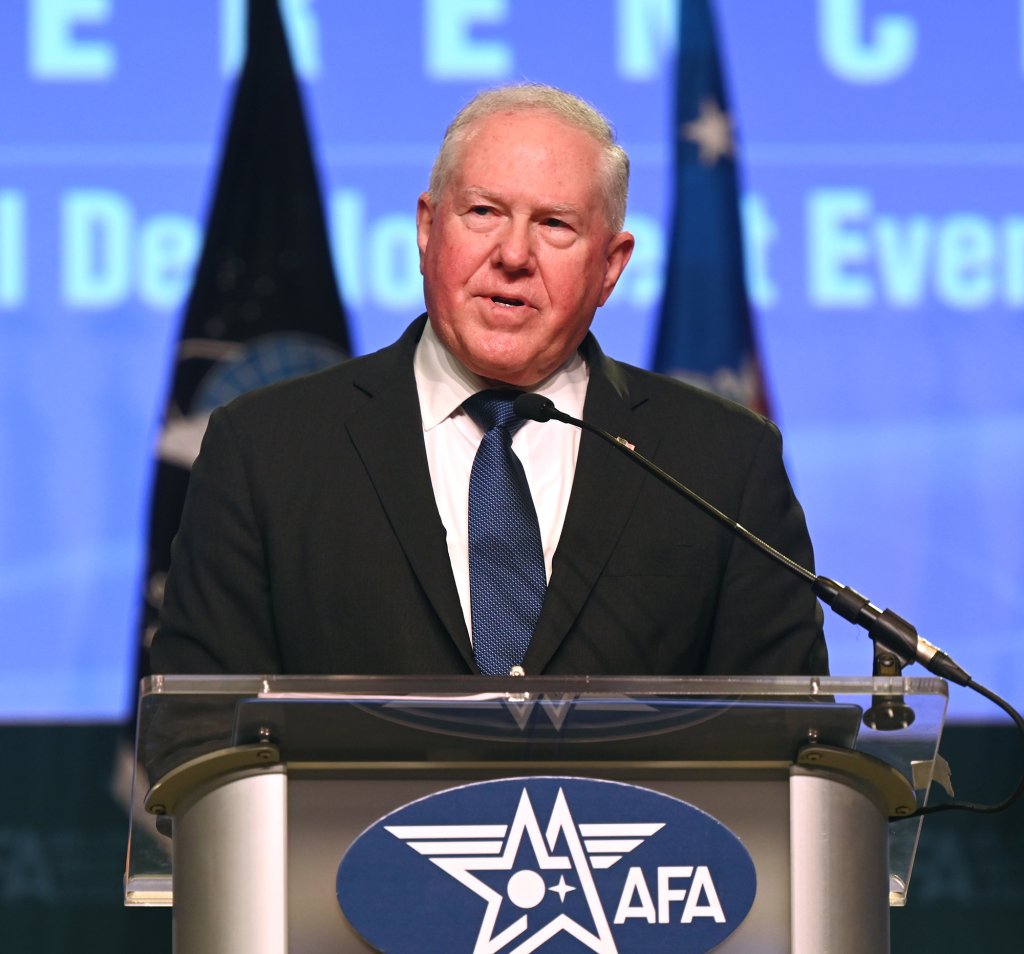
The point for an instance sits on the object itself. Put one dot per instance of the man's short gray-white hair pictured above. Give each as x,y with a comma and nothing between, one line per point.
570,109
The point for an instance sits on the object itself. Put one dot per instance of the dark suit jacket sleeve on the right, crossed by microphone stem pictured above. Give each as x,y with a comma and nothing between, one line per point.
769,621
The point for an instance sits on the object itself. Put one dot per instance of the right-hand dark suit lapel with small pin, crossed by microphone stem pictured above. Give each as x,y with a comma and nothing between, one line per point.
605,488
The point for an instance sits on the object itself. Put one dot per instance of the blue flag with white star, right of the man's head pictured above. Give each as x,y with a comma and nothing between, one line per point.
705,334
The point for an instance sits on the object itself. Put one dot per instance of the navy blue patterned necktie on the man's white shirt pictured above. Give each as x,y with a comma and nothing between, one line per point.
507,580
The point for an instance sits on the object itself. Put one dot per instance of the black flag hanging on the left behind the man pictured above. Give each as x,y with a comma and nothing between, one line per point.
265,303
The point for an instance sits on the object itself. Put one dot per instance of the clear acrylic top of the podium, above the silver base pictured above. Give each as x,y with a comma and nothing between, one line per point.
324,723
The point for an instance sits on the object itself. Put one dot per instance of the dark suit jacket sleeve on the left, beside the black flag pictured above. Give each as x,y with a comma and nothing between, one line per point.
218,615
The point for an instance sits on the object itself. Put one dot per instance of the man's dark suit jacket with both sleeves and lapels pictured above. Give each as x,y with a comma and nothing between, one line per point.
311,542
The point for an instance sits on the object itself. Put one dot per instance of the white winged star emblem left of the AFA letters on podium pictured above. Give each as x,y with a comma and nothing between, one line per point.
479,856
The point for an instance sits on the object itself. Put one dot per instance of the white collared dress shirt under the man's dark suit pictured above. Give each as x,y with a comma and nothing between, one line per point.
548,452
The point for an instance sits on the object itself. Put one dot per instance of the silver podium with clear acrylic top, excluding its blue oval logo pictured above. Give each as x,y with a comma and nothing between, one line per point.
266,780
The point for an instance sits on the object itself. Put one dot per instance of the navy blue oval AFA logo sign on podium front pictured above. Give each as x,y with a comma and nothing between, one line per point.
546,864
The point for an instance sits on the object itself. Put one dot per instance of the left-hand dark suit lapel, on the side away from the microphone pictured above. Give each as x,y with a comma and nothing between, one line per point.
389,438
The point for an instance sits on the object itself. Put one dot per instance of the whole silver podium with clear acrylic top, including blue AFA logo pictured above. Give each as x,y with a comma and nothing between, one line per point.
270,785
